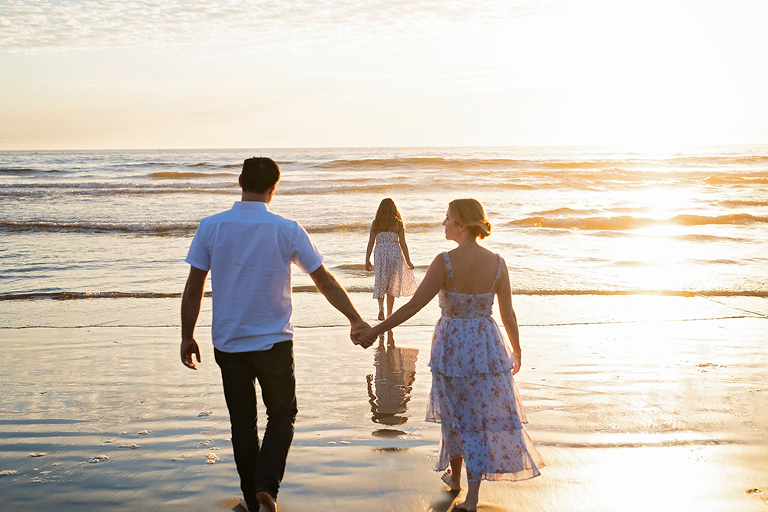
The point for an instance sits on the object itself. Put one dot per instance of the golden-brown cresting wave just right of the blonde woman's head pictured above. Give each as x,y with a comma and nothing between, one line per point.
625,222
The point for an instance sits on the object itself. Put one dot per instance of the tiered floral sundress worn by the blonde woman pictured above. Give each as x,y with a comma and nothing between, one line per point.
474,396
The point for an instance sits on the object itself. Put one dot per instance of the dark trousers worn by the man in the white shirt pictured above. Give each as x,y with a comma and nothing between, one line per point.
260,469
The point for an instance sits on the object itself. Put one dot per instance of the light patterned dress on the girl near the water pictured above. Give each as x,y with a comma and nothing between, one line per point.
393,277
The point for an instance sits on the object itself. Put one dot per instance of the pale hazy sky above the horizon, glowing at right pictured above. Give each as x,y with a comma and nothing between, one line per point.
122,74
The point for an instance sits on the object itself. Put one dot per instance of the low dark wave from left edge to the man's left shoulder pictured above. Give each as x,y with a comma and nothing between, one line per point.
135,228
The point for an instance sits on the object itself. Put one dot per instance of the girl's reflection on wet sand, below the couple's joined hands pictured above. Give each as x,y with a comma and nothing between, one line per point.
390,388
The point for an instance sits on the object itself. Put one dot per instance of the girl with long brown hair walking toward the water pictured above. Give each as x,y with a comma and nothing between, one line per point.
394,270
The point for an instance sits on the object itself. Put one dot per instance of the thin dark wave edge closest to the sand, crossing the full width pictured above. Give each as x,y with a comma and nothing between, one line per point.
75,295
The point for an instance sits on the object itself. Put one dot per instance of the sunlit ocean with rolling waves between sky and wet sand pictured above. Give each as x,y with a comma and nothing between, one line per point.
90,228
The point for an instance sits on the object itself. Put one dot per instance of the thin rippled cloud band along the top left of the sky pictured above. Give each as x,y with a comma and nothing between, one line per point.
93,24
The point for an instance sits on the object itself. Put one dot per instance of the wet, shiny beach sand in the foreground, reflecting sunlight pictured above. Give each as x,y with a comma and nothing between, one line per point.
635,403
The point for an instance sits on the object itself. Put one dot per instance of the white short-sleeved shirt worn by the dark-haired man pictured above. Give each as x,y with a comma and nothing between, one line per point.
249,251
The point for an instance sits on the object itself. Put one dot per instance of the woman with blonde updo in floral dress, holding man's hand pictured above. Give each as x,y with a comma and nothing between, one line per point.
473,396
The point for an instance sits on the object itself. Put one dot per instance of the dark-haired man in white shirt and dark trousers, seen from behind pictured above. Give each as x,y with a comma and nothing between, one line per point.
249,251
